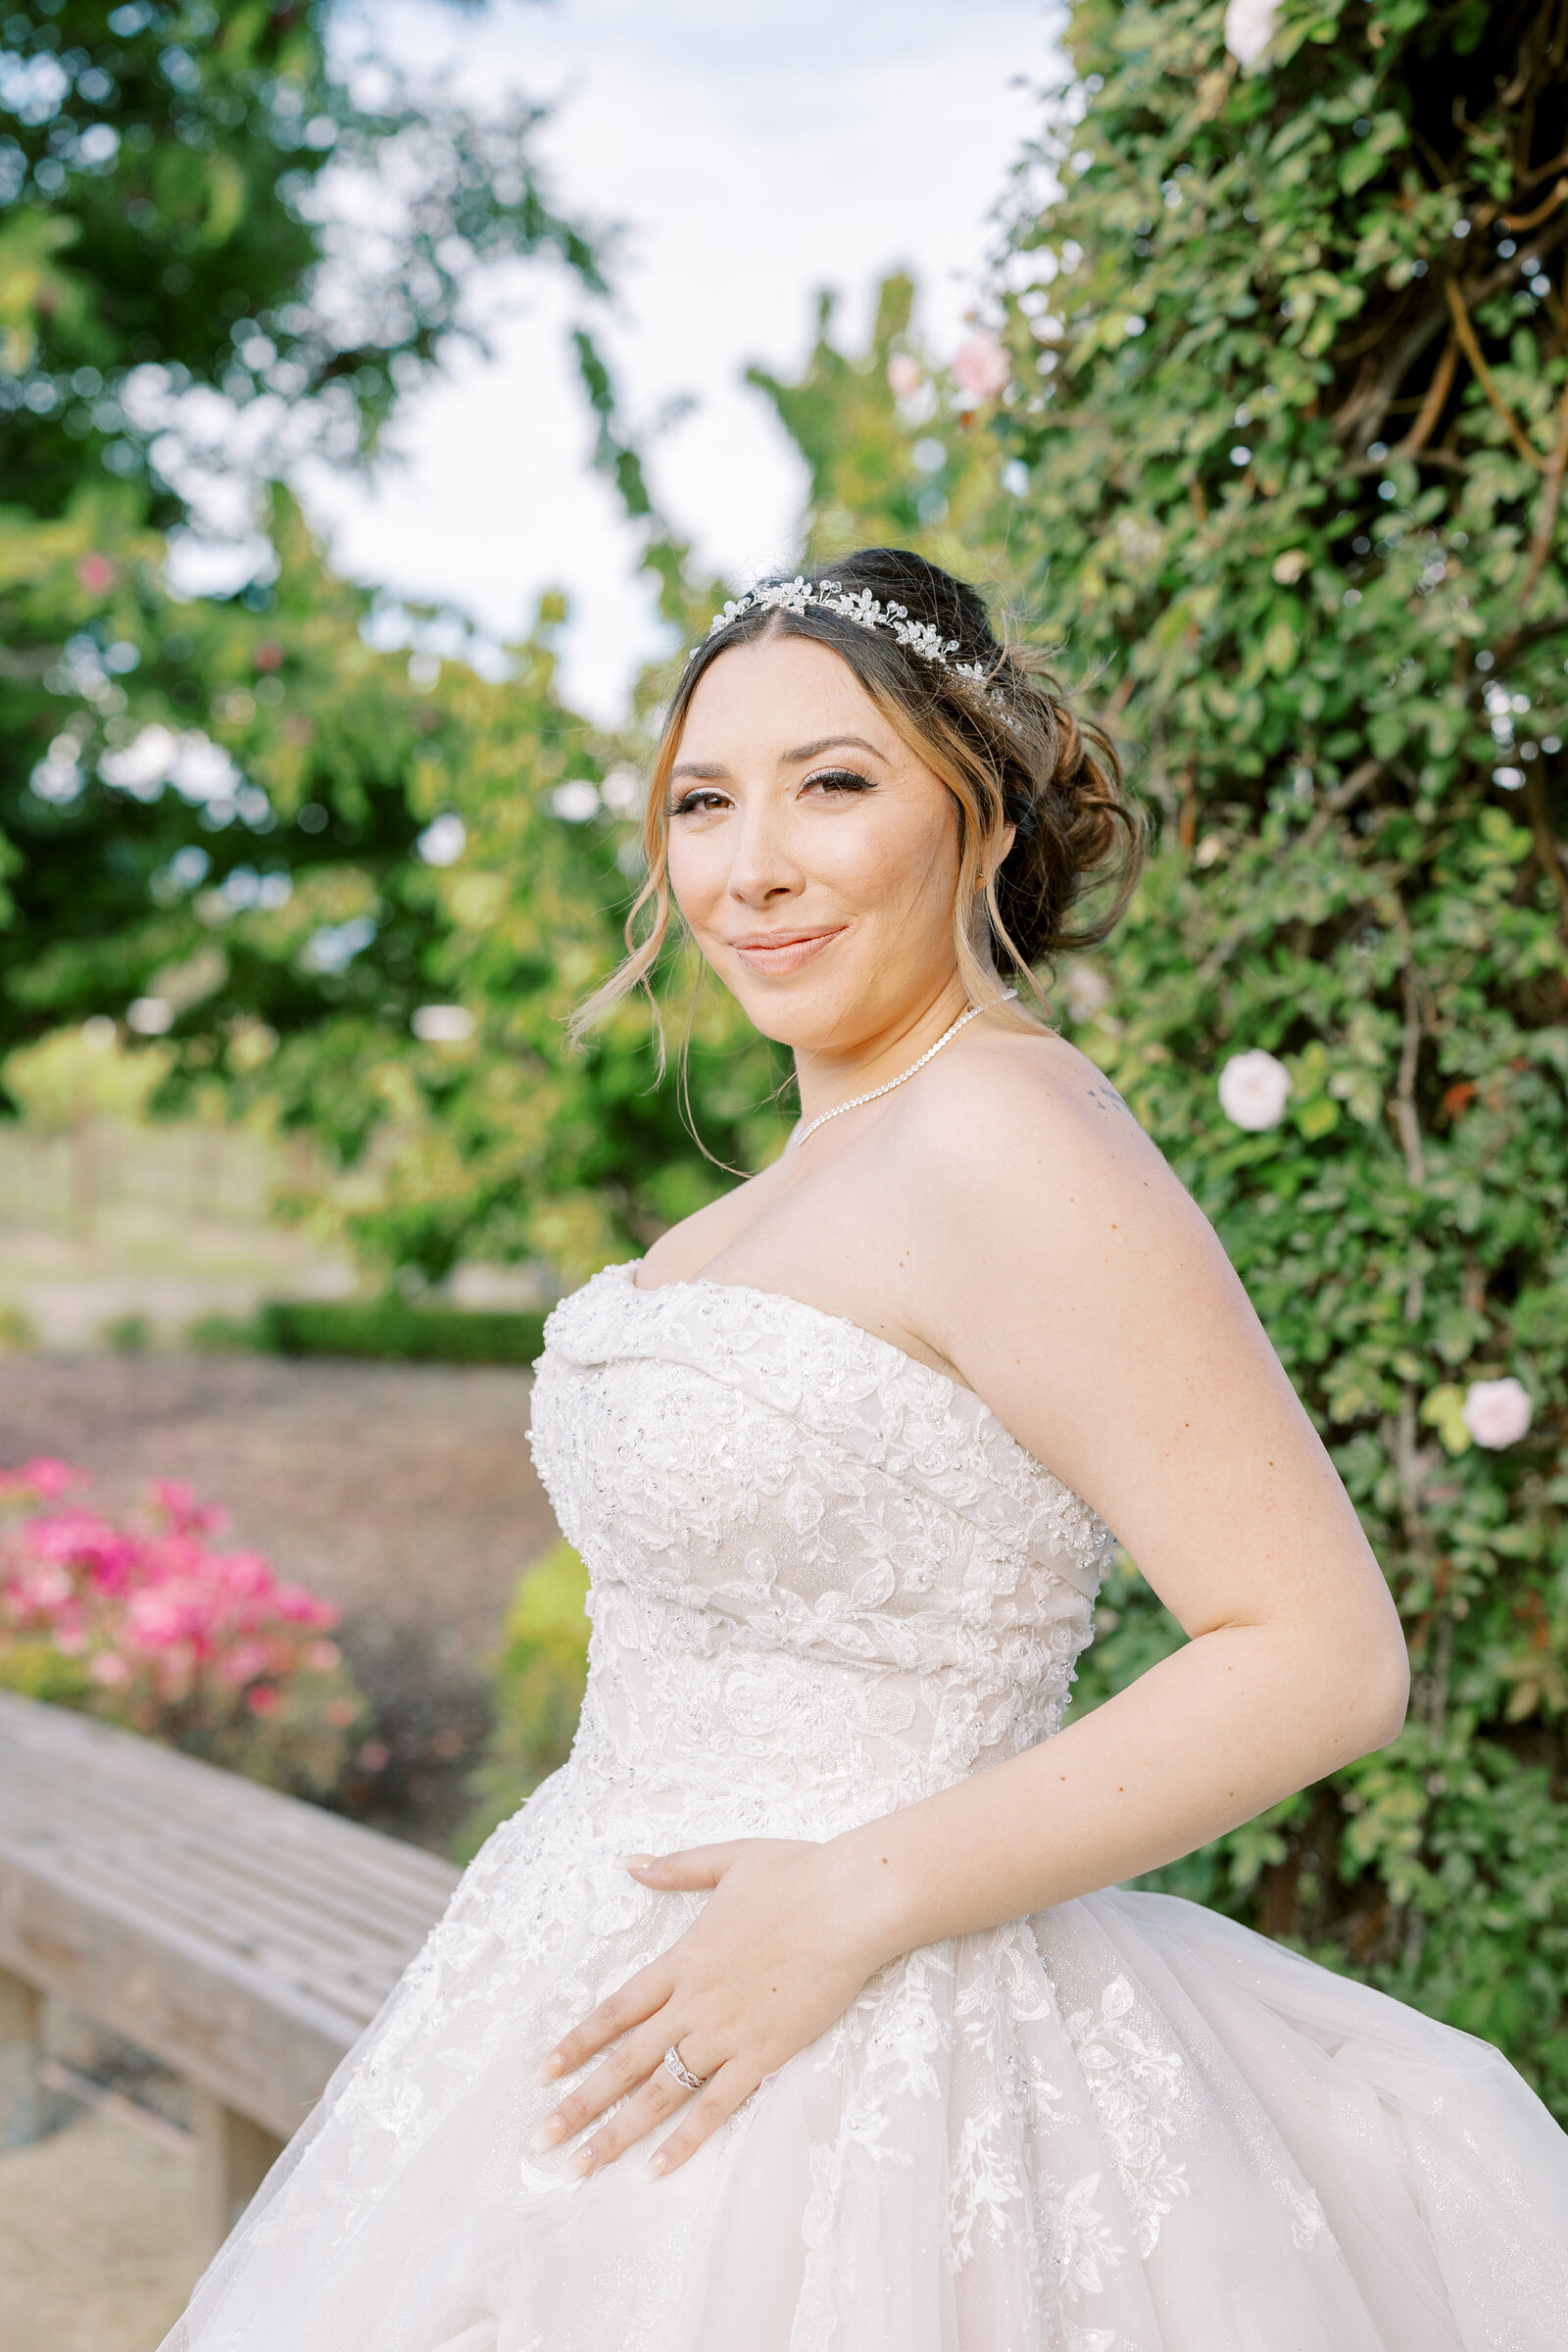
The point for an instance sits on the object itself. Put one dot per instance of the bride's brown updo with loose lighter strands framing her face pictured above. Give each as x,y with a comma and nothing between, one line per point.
1007,747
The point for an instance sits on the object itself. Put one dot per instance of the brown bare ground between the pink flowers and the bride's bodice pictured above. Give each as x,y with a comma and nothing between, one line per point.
403,1492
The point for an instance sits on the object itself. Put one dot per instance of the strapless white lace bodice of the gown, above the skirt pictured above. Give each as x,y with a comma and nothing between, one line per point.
824,1577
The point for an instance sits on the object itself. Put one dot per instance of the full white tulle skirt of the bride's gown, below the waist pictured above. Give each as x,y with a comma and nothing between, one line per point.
1125,2125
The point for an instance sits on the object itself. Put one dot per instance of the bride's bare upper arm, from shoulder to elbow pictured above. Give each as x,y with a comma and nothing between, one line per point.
1090,1304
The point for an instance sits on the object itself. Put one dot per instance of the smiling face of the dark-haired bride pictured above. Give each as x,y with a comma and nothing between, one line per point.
812,853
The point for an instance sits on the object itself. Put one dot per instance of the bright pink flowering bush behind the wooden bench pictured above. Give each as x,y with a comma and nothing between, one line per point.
152,1626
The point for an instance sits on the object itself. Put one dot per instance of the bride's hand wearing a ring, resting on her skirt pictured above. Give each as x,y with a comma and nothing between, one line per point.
775,1960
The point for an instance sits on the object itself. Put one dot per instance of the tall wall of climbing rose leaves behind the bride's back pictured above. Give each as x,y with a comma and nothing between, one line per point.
1294,457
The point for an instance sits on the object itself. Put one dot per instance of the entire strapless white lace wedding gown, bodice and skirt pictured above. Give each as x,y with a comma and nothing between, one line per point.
824,1584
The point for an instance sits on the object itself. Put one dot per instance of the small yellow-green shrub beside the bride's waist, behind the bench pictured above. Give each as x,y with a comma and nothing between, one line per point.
540,1678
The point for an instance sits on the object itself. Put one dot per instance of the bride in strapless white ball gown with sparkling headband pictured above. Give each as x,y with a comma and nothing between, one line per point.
800,2010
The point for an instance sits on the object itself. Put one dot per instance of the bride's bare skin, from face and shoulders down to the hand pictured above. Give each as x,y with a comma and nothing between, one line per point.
1005,1222
